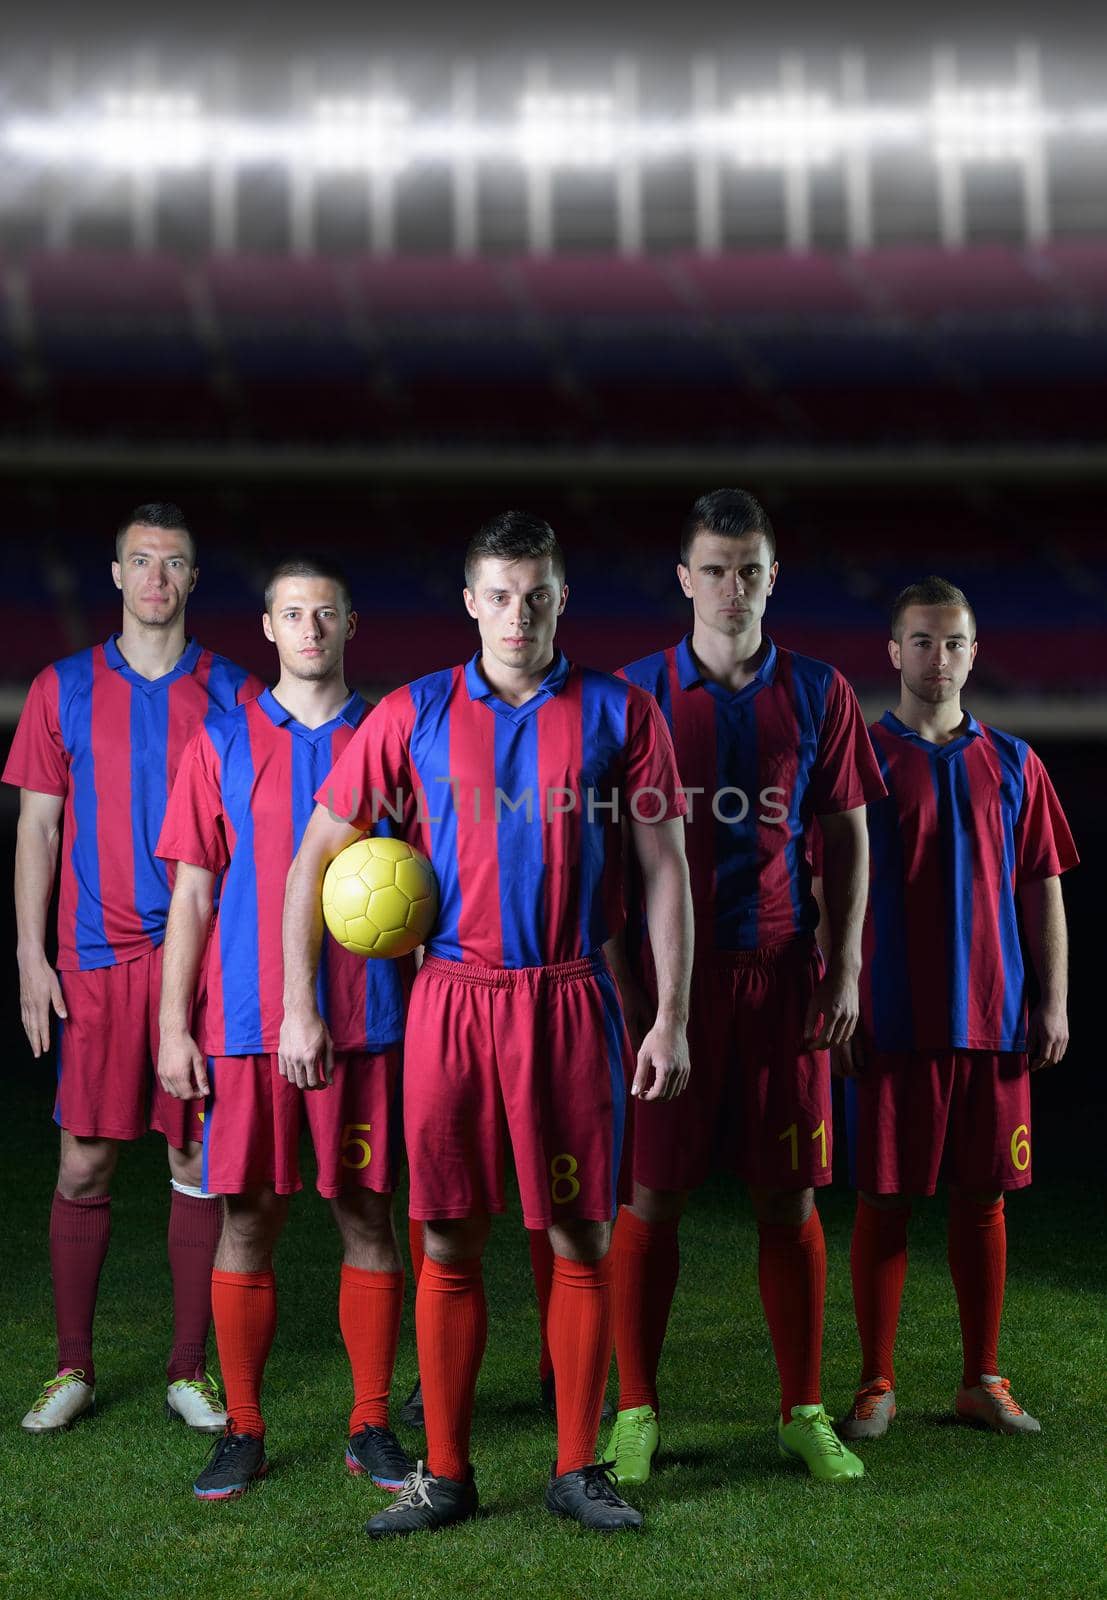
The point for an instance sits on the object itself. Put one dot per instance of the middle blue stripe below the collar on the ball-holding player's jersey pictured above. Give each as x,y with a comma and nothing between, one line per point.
519,842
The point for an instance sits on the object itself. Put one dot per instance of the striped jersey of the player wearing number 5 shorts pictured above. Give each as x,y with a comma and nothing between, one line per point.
239,809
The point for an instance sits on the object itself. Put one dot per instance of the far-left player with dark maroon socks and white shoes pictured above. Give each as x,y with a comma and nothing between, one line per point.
95,756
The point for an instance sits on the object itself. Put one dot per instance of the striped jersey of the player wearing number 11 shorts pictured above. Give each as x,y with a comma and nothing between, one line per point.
757,766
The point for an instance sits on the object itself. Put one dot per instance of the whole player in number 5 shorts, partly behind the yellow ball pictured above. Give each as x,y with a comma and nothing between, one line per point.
238,810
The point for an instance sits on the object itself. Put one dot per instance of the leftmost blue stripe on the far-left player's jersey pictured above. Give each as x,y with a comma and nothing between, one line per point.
76,713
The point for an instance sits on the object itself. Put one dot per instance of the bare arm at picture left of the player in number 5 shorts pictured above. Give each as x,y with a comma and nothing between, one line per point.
182,1066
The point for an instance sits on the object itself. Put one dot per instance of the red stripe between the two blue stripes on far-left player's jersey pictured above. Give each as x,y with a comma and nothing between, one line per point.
111,745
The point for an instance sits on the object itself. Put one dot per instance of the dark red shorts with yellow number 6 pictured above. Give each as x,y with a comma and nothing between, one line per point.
964,1116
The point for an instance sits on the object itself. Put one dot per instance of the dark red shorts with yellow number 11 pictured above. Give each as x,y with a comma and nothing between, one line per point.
757,1102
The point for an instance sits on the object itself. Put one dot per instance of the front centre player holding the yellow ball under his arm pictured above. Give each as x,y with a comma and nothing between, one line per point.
510,774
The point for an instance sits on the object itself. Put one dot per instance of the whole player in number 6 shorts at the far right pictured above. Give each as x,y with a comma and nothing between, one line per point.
970,842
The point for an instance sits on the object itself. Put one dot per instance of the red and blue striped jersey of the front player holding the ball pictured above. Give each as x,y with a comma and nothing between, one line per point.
518,807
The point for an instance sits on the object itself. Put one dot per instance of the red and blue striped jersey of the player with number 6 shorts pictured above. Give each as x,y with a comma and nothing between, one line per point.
962,828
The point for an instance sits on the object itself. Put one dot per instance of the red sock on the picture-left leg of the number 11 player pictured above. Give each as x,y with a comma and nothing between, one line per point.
645,1266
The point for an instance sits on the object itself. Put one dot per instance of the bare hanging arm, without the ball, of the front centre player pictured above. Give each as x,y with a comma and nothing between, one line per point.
663,1058
